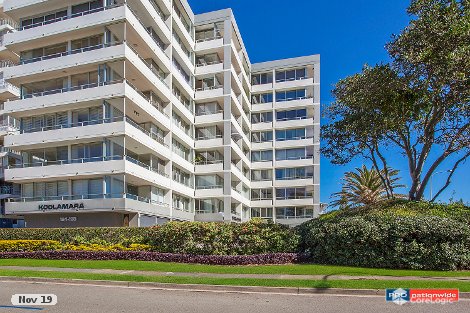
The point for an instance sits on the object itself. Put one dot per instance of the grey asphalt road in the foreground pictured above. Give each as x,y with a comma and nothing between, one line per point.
103,299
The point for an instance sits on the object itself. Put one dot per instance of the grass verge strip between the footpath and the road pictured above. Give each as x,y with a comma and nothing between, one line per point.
352,284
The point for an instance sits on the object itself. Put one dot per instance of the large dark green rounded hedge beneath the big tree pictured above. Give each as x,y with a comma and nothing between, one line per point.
416,242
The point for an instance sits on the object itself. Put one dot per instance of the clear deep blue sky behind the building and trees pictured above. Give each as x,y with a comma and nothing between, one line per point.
347,34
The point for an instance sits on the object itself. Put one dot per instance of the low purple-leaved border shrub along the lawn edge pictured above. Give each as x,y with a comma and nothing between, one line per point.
272,258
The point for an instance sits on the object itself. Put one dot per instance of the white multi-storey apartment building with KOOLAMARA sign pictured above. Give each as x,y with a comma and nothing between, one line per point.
138,112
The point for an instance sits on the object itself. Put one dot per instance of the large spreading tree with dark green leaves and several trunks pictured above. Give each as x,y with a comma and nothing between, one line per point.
418,104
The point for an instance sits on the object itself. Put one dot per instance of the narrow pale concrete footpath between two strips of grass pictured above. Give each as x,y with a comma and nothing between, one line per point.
218,275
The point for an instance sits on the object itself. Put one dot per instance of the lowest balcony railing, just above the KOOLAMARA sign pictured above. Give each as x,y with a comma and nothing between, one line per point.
90,197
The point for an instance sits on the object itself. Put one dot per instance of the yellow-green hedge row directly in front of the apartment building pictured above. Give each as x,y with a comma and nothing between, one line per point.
254,237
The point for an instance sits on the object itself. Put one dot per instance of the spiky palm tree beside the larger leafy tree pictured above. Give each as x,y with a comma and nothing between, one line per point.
363,187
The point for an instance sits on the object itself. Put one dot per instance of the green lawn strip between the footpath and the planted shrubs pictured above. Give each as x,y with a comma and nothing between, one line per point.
293,269
